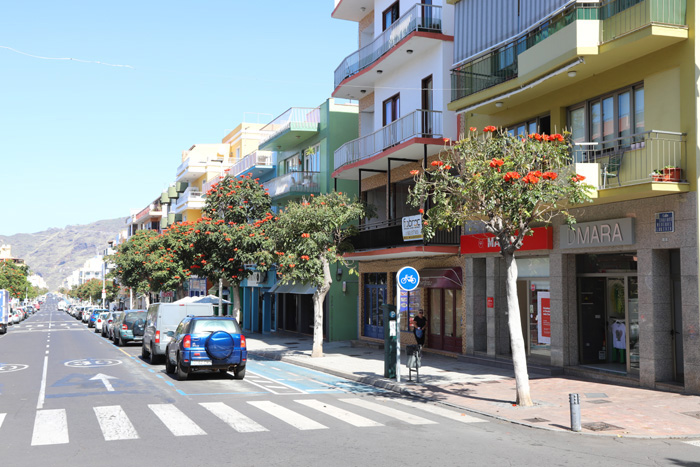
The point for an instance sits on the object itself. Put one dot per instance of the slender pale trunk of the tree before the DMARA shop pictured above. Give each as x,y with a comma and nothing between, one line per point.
517,343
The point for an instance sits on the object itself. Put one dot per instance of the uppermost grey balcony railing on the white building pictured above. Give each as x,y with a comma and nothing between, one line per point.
419,18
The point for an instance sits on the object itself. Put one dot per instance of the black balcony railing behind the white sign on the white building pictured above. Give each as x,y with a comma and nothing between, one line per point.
389,233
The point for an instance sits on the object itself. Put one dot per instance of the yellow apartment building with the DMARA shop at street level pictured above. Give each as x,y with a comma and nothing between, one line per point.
617,297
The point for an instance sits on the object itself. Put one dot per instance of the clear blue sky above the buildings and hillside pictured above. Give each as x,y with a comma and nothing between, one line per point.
80,142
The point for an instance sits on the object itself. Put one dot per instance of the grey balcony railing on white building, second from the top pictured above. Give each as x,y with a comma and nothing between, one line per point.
422,123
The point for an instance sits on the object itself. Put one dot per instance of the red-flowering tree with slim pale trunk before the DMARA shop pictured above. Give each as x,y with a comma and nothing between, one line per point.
508,183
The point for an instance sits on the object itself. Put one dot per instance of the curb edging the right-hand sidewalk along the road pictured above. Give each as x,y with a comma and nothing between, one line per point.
289,357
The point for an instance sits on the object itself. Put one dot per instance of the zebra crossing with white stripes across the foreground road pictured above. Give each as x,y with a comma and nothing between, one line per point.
52,426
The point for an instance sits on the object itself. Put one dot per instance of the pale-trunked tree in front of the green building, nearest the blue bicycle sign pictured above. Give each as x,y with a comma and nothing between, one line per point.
310,235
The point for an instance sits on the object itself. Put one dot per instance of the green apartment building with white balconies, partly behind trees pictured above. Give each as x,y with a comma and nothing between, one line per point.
302,141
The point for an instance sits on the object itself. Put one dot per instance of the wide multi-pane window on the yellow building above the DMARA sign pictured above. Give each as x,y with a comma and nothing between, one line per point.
612,120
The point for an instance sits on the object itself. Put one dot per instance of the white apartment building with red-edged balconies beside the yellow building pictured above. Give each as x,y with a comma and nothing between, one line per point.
400,73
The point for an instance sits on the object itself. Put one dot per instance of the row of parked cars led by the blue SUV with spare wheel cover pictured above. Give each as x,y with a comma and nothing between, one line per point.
186,337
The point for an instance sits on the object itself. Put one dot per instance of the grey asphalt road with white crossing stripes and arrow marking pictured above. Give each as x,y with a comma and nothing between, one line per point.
68,397
